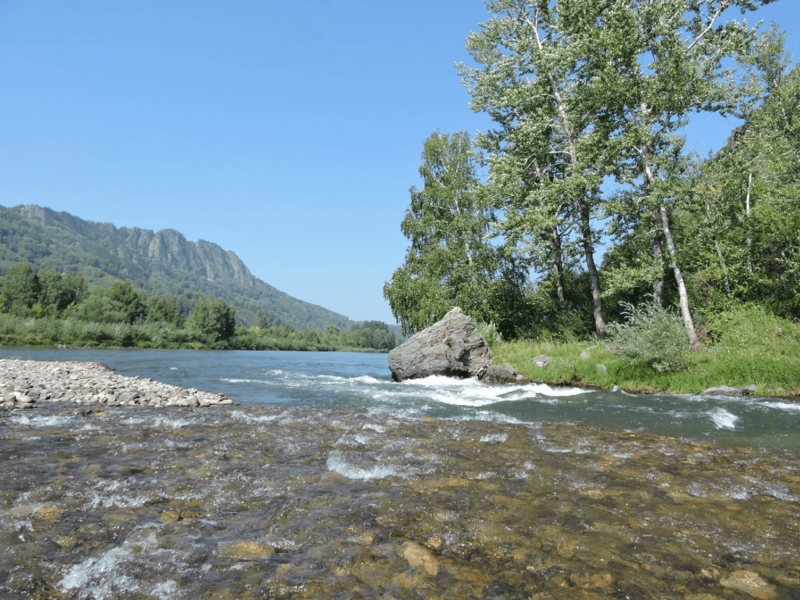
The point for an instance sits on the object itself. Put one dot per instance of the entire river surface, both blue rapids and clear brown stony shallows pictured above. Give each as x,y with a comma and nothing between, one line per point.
330,481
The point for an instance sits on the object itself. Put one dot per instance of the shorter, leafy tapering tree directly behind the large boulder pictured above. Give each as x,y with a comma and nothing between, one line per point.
450,262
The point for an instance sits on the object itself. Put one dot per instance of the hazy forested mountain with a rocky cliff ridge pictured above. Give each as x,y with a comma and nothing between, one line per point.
161,263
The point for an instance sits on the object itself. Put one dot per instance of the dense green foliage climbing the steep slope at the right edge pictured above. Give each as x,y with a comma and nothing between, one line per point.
740,221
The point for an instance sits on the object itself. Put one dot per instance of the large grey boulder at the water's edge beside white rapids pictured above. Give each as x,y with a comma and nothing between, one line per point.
451,347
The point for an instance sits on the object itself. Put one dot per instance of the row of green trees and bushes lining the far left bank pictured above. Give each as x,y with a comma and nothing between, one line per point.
116,317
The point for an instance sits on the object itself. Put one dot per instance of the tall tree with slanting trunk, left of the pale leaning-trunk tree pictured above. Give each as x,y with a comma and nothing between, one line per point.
545,157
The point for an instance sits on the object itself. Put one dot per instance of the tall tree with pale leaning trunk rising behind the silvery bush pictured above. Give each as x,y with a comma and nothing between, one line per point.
651,65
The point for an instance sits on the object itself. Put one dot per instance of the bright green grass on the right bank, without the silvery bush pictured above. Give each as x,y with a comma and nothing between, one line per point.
742,348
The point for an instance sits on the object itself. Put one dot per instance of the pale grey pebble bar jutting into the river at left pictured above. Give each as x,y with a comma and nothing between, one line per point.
25,383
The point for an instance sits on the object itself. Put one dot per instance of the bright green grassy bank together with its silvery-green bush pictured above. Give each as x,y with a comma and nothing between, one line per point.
648,354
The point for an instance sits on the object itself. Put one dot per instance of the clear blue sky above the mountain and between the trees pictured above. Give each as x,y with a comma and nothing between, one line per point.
286,132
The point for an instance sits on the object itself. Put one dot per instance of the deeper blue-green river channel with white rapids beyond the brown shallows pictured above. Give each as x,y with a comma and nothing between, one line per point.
362,382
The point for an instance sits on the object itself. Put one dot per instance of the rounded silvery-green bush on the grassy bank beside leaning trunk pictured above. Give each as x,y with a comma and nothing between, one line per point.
651,335
